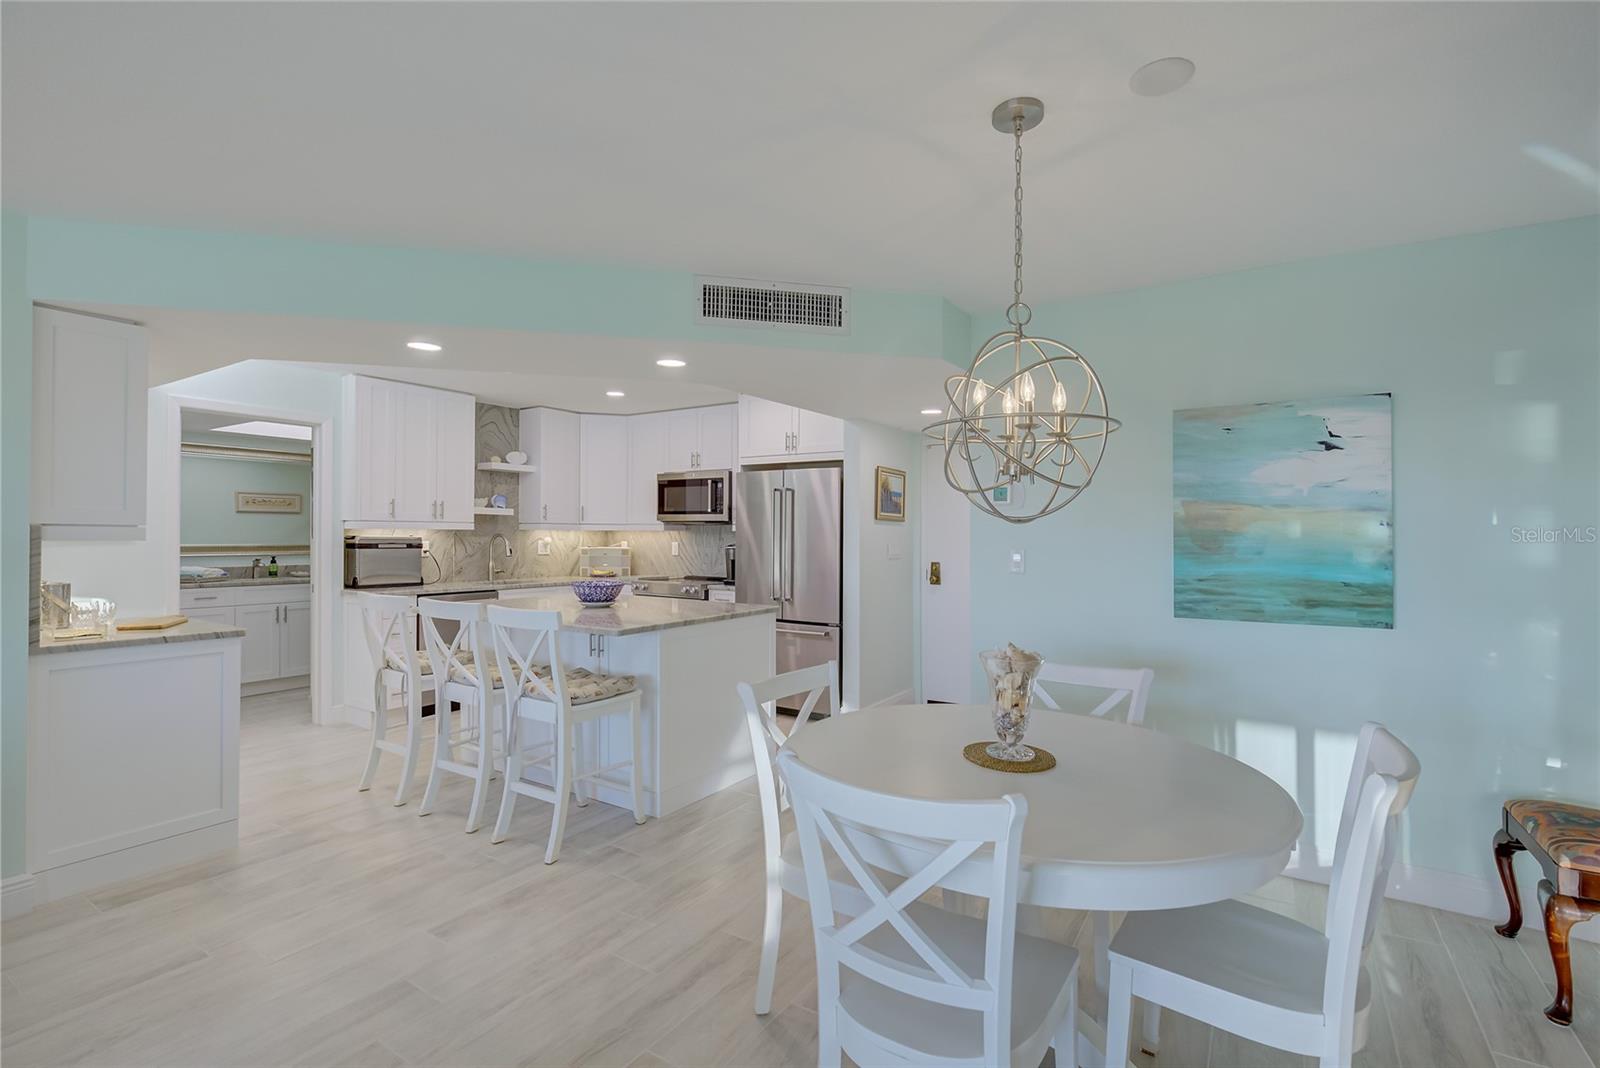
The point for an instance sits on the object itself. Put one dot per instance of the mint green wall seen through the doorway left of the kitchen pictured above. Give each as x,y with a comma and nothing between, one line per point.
207,514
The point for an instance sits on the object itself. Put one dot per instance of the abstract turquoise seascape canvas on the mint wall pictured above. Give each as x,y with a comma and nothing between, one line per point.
1284,514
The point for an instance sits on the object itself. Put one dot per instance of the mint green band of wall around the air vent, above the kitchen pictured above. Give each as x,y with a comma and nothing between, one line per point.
244,273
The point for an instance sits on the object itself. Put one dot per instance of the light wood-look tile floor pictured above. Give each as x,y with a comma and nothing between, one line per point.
346,931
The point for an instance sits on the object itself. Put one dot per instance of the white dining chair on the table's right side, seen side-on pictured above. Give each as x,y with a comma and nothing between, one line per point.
1268,978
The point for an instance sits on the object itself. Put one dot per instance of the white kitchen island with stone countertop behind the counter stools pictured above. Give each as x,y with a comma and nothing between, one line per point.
687,656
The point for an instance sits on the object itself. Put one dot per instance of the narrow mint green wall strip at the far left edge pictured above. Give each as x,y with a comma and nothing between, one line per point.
17,405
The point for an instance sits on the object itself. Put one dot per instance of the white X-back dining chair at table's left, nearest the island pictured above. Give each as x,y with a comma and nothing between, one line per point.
785,871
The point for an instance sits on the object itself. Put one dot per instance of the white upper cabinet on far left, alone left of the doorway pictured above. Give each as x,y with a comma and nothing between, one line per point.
90,415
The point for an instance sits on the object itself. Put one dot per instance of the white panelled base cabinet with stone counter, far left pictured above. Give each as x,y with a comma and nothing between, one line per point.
132,754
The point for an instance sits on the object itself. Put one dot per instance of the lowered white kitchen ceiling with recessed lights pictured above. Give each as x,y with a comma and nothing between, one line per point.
524,370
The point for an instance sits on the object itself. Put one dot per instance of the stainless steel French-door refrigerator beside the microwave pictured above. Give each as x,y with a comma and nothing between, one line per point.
791,535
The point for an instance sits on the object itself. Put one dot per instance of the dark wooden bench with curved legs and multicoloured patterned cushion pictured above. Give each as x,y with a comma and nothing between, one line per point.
1566,840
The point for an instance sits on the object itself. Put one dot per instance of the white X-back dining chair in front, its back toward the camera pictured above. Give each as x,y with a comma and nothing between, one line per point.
911,984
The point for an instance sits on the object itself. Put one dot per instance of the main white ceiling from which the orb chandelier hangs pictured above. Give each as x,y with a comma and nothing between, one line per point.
812,143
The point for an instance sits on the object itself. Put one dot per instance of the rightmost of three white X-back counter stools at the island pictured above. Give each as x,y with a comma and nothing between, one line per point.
540,690
